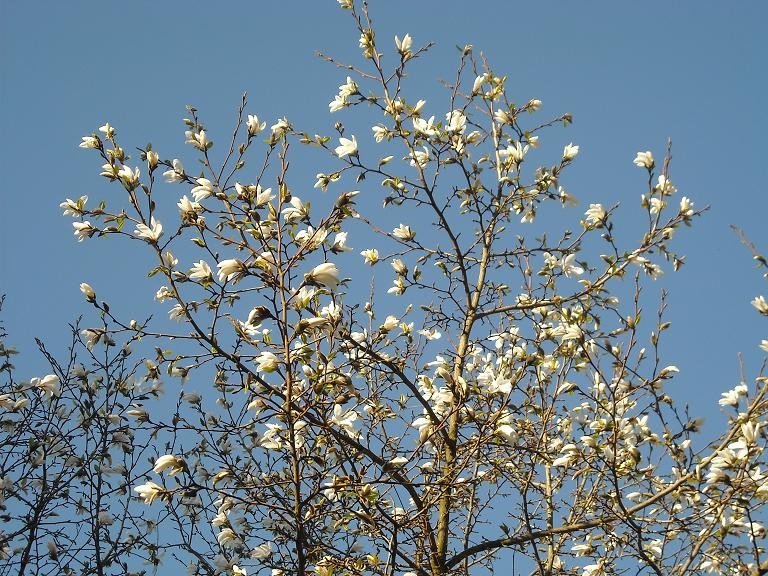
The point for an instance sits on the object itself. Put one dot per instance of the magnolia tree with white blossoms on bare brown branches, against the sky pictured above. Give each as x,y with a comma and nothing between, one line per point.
499,404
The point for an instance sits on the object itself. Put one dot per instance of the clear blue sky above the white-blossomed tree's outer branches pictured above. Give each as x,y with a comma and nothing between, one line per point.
632,73
